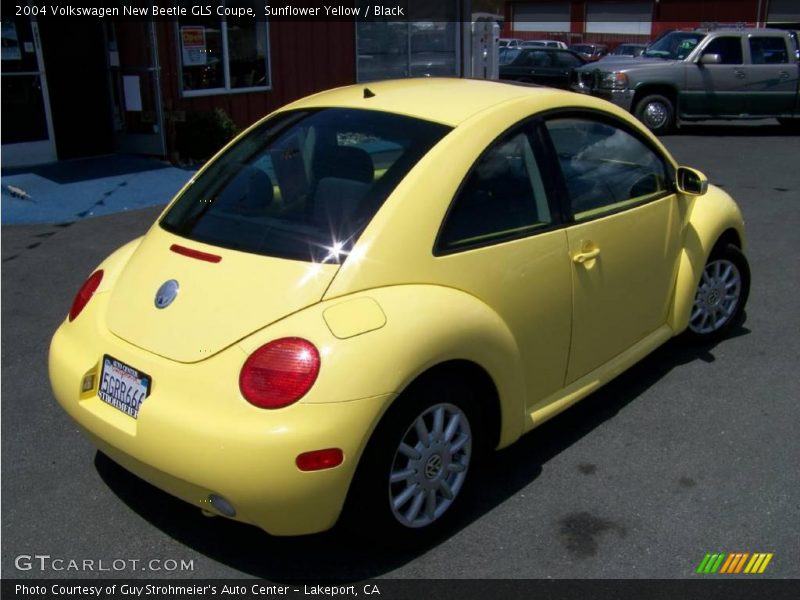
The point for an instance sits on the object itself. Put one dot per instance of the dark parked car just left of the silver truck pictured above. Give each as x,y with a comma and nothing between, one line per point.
545,66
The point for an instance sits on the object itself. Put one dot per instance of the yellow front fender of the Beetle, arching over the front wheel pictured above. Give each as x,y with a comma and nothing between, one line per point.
714,220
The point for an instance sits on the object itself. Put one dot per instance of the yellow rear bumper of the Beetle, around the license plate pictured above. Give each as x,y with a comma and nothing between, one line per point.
196,436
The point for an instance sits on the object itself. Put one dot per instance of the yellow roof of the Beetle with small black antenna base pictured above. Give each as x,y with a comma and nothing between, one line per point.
445,100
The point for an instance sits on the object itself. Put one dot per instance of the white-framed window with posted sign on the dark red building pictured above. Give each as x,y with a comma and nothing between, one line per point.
219,54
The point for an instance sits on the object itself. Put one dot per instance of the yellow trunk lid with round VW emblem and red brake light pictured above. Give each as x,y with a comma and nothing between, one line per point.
217,303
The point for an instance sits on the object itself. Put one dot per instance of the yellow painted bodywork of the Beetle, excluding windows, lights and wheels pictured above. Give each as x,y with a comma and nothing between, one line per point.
520,311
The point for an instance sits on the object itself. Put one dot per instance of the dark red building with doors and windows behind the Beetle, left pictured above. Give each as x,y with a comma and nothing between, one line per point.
77,87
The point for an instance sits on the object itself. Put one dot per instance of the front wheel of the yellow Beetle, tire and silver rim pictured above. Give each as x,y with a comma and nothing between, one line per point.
720,296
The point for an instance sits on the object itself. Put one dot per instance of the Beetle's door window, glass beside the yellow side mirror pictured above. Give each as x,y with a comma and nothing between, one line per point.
605,168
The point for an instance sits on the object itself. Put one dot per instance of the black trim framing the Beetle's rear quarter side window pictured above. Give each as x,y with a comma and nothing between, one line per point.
528,127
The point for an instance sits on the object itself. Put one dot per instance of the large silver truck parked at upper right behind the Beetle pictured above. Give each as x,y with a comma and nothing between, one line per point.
697,75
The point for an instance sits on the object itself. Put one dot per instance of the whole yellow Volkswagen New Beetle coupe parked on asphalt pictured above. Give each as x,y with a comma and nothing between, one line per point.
373,286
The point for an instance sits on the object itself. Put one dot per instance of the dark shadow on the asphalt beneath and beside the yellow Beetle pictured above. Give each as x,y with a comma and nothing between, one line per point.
335,556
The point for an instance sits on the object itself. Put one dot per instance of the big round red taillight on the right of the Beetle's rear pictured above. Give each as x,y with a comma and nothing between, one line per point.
279,373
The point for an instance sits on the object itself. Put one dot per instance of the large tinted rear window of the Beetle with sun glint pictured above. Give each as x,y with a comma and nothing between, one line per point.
304,184
